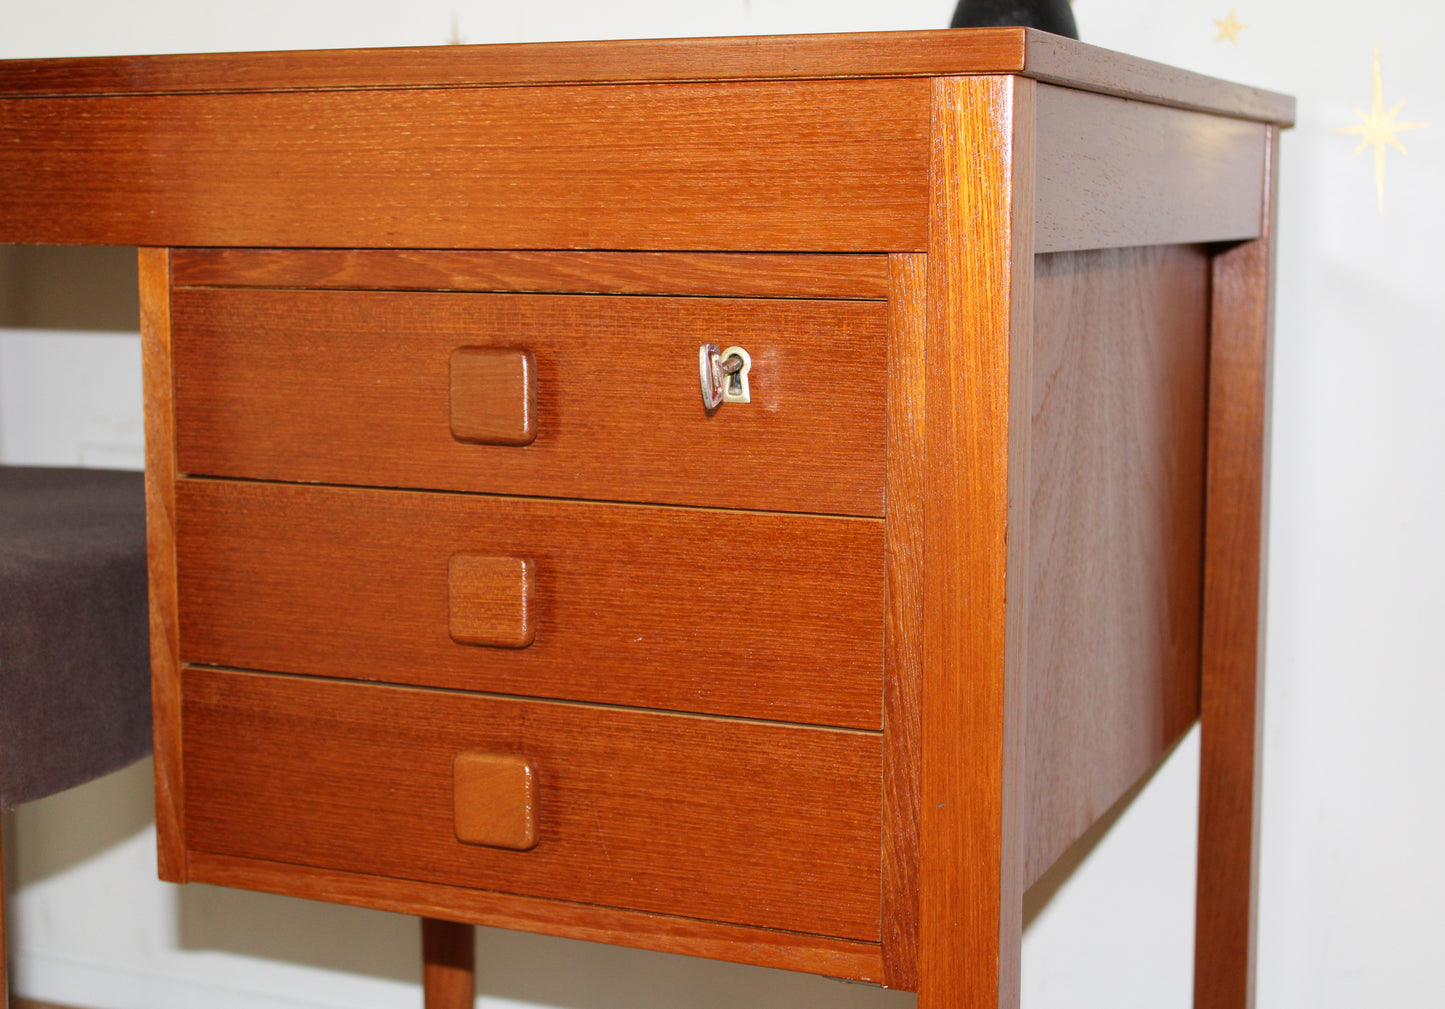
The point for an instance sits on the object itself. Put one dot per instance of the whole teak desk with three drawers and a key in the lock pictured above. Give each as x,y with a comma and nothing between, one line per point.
465,605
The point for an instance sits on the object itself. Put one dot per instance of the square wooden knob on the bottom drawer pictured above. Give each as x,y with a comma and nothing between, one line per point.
495,802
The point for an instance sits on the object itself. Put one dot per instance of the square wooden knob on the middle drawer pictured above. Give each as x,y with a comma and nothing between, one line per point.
489,601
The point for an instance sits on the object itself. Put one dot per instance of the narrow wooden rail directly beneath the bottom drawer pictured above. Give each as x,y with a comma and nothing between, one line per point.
634,929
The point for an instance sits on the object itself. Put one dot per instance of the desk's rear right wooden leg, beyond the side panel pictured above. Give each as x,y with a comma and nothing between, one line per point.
1235,573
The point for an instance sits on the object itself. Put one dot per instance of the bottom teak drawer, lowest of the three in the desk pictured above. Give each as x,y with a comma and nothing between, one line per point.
713,819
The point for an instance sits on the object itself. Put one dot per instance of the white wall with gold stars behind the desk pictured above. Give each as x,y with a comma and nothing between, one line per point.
1353,890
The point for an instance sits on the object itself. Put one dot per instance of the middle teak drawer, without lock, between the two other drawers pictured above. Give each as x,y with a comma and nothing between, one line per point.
759,615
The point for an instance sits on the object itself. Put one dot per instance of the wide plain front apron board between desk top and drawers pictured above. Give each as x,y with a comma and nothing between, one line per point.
759,167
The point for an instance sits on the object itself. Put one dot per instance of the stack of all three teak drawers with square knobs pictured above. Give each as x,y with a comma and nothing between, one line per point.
686,654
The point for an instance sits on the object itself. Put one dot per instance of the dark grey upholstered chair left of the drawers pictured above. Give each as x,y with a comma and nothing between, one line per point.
74,643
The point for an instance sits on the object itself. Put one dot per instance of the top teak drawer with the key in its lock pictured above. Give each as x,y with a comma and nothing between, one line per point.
397,390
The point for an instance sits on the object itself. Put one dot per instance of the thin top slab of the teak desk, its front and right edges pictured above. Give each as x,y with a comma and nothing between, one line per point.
894,54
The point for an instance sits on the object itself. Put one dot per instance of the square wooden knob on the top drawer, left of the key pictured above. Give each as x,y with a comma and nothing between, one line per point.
493,395
